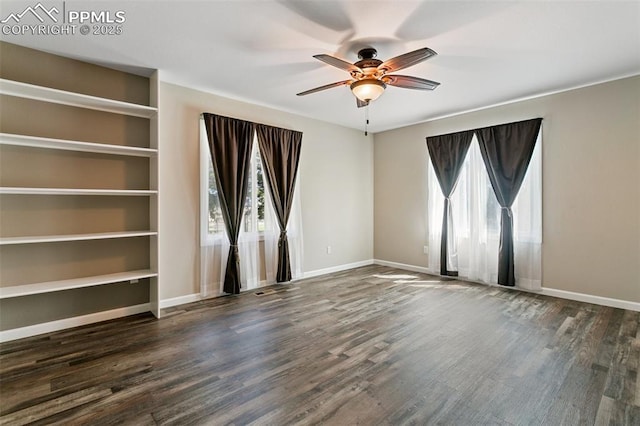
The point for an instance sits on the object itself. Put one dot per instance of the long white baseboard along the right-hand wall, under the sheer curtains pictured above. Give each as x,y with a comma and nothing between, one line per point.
579,297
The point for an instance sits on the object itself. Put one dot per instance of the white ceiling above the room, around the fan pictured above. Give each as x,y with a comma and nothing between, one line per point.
489,52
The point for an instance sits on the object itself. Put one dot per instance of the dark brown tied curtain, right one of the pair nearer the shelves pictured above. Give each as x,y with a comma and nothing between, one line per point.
280,151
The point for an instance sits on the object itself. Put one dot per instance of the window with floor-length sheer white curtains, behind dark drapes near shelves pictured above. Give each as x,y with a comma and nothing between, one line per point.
259,233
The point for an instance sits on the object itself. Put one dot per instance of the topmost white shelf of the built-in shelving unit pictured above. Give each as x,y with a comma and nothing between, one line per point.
47,94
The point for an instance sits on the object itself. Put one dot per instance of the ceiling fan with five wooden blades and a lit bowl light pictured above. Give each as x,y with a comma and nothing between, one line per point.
370,76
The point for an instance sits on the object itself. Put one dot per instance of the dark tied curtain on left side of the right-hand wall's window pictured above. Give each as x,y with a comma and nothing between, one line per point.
447,153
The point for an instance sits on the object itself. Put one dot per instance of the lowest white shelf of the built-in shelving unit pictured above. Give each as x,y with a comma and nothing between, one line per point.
51,286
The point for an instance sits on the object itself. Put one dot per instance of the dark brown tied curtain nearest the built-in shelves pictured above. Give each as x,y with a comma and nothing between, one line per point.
230,142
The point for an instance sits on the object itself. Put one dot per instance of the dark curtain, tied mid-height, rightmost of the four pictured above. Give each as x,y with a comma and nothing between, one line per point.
506,150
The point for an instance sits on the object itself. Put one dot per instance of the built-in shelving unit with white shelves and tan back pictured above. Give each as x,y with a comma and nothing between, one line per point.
95,251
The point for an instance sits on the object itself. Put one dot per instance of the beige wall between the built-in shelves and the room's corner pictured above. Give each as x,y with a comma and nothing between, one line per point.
336,182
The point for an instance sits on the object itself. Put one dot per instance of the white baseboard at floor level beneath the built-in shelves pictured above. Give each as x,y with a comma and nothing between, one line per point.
48,327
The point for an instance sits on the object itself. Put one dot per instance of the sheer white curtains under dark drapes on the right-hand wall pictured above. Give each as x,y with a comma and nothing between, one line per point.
476,218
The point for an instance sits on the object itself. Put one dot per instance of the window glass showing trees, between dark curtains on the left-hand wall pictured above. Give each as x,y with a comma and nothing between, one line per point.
254,202
